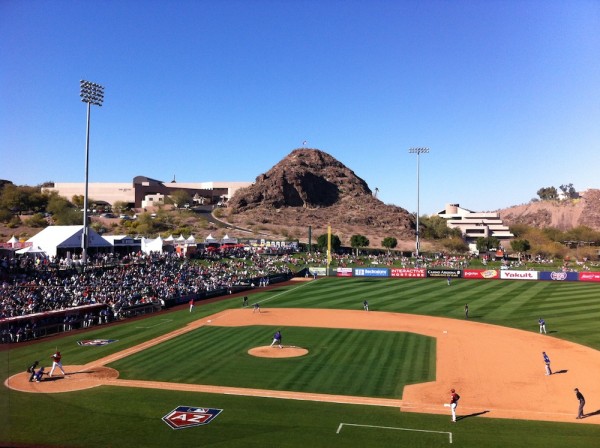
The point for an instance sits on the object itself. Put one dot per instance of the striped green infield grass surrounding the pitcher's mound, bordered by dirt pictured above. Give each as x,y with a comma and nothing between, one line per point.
343,361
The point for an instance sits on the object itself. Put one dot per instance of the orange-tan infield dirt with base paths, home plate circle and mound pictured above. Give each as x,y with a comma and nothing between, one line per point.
498,371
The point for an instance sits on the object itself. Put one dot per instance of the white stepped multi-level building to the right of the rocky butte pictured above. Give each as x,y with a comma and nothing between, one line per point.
474,225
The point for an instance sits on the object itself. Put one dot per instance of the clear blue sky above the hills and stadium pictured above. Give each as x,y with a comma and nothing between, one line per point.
506,94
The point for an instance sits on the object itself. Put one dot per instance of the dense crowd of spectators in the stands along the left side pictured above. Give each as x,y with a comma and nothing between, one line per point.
31,287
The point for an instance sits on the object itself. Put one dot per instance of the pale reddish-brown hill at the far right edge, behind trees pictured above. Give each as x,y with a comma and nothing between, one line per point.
563,215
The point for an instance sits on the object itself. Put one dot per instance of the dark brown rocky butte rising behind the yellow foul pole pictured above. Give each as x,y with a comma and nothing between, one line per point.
311,188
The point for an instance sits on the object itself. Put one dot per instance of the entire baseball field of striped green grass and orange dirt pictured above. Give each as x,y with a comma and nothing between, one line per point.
345,377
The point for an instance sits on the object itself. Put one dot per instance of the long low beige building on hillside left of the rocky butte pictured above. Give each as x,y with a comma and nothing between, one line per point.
145,191
